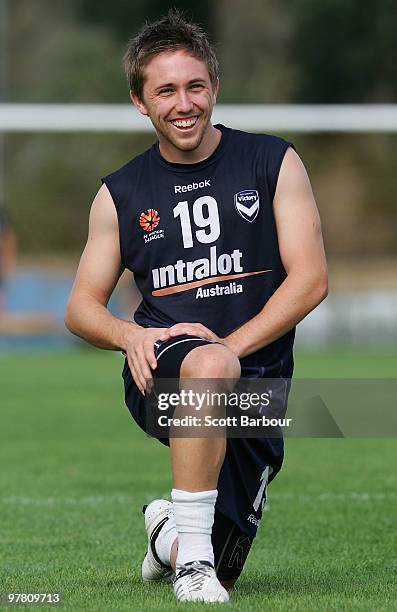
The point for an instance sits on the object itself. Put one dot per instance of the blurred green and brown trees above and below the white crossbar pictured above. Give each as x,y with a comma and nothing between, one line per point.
270,51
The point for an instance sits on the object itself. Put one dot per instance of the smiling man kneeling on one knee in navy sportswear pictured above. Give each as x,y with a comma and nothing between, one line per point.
221,231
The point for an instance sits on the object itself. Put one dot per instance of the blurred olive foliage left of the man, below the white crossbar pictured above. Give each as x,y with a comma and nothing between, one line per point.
61,174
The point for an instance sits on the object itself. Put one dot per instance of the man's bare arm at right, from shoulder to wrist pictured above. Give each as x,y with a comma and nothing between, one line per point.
302,253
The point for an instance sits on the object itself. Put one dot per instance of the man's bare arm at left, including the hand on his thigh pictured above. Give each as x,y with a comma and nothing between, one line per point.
99,270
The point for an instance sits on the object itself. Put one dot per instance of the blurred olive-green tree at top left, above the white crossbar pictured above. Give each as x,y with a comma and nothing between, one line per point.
55,59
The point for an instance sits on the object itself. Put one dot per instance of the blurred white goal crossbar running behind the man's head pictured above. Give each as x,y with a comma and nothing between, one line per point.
16,117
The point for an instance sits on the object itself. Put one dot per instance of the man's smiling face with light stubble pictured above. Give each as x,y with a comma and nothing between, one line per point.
179,97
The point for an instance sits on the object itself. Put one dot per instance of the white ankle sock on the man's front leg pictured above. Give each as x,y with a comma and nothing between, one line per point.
194,517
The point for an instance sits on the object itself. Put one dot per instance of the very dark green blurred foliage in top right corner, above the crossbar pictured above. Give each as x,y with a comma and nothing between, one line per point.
346,50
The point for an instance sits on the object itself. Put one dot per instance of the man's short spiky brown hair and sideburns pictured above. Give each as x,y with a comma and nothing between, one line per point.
170,33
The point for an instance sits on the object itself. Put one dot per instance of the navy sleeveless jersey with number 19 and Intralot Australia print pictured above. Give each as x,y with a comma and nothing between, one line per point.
201,238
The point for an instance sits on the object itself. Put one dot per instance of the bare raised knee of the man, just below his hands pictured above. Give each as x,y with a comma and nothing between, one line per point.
211,361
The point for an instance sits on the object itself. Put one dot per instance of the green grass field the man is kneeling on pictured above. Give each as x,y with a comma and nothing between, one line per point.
76,471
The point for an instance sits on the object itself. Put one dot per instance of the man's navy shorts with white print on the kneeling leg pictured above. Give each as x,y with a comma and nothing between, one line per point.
249,463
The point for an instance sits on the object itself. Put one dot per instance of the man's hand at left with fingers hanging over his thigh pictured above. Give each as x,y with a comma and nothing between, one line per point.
139,348
